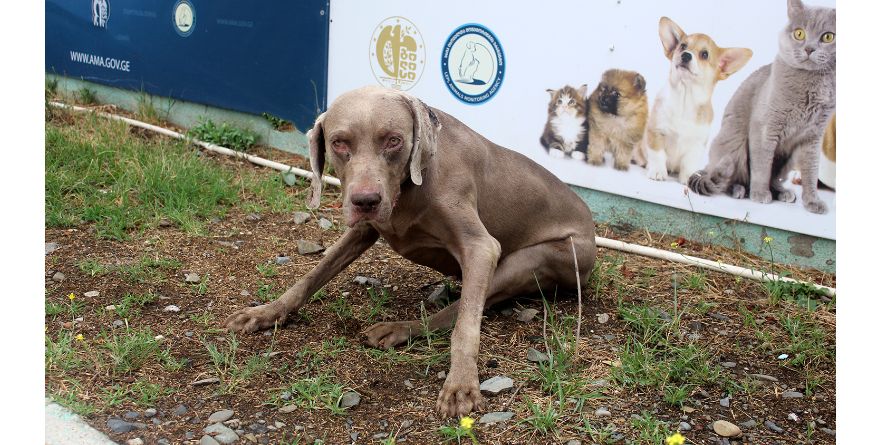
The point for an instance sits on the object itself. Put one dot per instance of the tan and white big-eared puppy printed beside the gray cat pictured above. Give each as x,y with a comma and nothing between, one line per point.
677,133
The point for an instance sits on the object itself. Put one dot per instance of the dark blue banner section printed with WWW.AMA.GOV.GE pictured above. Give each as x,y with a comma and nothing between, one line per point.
255,57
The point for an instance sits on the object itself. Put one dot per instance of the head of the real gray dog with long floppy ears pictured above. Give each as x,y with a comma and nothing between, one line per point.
376,139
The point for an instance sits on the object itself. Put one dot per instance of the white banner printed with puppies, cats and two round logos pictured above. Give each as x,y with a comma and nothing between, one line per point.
626,97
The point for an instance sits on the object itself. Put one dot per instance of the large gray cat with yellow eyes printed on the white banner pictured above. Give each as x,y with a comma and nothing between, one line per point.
776,120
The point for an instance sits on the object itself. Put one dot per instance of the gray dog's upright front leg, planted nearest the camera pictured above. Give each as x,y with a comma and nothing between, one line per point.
478,254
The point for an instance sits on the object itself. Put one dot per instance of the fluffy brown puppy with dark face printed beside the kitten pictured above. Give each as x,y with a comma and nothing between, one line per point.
617,112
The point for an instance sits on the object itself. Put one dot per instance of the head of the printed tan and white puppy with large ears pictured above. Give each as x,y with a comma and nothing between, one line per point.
695,58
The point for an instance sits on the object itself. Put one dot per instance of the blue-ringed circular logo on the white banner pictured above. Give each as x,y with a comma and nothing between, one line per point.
473,64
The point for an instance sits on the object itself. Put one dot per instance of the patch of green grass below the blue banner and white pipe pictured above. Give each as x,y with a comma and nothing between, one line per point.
98,172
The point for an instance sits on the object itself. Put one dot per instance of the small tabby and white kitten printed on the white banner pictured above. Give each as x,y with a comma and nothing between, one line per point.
566,132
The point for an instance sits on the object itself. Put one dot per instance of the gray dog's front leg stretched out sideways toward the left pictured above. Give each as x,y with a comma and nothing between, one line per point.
348,248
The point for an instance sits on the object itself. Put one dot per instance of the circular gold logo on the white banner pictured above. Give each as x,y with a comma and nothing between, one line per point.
397,53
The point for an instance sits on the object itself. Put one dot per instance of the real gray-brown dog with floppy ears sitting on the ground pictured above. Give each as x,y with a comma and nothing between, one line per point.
445,197
